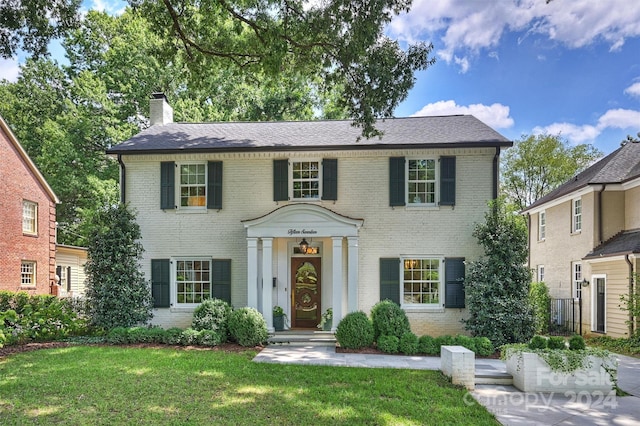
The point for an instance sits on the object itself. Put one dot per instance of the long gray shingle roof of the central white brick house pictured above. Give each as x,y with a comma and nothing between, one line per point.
431,132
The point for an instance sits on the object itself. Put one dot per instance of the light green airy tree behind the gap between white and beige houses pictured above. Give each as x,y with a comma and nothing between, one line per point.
538,164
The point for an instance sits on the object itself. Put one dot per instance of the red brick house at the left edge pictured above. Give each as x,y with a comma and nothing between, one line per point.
27,221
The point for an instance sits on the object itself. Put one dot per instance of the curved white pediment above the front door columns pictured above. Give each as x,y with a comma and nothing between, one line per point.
302,220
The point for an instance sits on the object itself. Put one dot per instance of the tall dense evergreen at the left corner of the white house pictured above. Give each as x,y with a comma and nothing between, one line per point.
117,293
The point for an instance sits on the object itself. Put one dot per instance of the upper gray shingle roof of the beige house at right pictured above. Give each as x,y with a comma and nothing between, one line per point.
620,166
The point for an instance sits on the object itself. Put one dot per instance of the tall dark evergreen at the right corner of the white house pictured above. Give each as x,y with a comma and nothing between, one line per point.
497,286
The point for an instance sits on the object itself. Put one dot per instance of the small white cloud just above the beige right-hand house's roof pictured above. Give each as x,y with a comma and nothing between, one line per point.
612,119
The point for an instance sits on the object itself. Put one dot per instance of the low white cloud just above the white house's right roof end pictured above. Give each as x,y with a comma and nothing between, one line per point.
495,115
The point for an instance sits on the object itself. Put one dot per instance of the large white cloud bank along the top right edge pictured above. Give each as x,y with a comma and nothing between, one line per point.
469,26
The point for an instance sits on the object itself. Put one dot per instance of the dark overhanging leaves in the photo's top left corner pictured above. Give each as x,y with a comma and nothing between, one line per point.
31,24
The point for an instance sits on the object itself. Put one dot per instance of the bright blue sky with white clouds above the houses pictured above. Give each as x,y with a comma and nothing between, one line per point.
570,67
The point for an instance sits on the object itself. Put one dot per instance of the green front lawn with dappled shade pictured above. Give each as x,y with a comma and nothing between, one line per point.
114,385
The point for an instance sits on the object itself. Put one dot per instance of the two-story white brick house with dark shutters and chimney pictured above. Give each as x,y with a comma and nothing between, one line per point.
306,216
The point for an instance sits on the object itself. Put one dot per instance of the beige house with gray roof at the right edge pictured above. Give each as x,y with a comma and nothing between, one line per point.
584,239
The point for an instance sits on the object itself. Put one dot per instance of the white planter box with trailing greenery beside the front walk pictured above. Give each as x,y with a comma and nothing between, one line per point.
532,374
